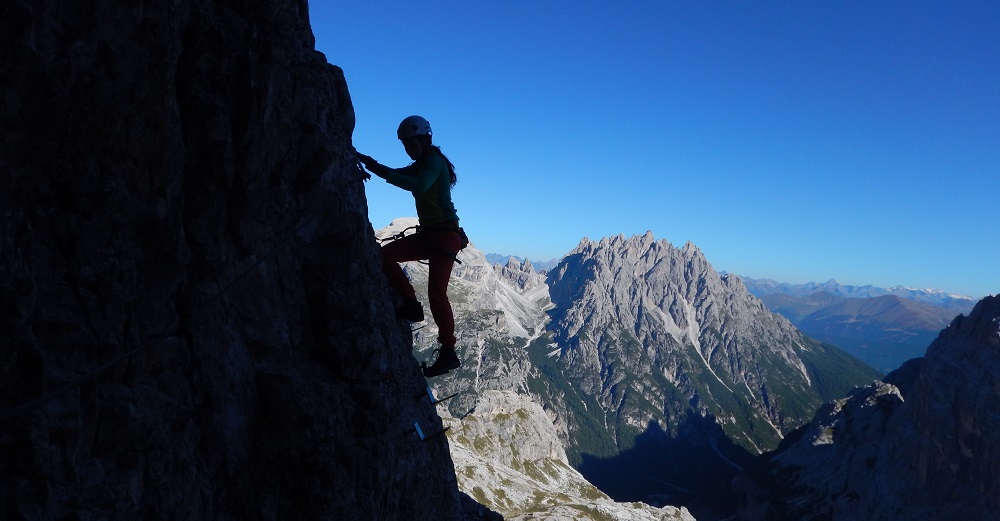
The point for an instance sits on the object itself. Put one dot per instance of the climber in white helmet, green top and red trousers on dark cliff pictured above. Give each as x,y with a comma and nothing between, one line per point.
430,179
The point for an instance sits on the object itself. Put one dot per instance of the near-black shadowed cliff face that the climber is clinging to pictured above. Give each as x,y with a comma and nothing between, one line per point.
193,322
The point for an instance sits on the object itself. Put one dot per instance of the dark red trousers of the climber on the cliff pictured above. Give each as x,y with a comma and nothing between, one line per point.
438,246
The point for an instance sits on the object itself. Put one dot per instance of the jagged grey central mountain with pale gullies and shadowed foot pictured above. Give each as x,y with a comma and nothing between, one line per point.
691,374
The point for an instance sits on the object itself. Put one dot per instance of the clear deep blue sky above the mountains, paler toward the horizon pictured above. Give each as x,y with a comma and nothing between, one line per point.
799,141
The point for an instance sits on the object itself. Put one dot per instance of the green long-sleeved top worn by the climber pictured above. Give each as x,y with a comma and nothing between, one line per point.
429,180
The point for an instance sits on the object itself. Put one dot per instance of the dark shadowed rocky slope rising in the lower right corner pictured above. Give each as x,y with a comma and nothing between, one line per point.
921,445
